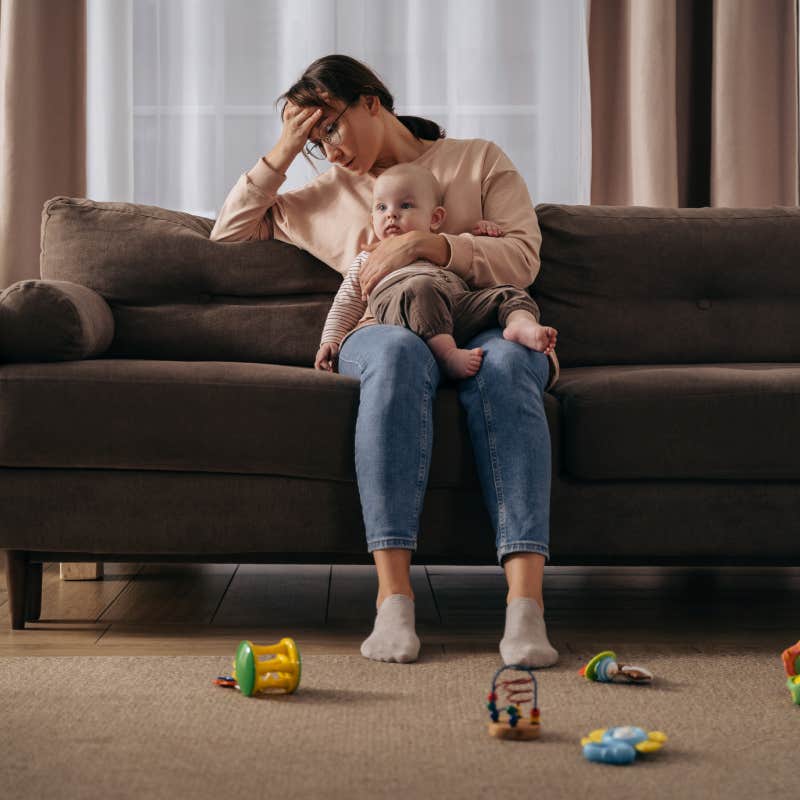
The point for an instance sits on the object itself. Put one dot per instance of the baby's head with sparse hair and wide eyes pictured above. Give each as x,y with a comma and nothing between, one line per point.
406,197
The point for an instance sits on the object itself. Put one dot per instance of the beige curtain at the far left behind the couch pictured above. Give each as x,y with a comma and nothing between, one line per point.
42,121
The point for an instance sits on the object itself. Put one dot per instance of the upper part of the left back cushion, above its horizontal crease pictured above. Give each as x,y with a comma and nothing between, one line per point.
133,253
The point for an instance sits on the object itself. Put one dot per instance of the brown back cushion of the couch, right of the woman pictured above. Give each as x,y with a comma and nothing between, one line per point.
638,285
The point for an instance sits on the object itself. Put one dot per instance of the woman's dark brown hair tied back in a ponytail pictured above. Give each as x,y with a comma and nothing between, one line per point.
346,79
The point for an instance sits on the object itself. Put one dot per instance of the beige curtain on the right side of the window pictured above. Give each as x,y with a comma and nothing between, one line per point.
694,102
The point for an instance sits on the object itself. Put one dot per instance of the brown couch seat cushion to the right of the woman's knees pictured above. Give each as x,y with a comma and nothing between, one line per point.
713,421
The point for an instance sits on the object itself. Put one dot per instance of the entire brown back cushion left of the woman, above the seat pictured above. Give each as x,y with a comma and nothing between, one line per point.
175,294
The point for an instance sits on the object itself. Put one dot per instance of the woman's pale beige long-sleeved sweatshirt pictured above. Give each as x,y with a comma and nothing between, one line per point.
330,216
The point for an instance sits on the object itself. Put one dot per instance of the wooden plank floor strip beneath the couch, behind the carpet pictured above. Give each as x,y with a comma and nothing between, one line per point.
177,609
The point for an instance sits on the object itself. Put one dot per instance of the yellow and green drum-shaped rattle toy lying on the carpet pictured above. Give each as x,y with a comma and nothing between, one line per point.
253,673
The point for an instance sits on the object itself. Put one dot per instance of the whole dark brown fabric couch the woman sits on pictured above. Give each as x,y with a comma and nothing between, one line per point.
158,400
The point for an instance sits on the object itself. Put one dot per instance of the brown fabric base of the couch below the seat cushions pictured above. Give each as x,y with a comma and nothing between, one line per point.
240,517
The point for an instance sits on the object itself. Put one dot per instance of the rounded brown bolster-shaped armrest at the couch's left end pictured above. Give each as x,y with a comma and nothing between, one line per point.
48,320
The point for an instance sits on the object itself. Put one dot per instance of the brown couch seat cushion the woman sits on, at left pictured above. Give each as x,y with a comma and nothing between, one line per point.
204,416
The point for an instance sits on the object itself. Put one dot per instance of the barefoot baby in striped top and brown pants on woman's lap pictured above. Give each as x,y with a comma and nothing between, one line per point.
434,303
